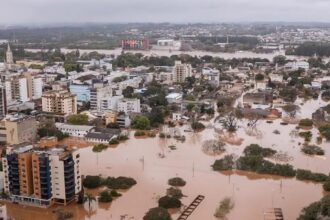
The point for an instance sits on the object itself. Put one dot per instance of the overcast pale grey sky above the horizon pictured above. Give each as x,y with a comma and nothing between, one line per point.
77,11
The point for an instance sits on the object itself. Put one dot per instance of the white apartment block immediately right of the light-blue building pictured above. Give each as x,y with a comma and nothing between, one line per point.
98,94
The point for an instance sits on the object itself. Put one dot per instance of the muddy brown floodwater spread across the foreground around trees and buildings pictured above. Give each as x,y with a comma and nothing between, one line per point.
139,158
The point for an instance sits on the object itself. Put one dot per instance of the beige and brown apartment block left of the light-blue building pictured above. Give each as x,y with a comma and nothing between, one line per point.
59,102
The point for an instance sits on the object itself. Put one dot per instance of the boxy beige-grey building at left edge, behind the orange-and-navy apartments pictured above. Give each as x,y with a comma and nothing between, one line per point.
20,129
